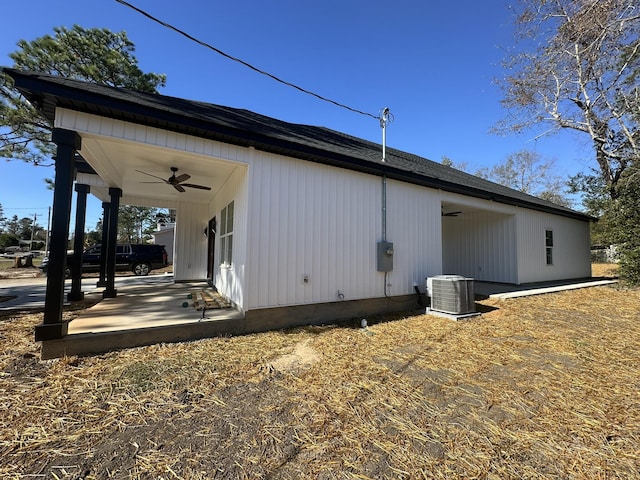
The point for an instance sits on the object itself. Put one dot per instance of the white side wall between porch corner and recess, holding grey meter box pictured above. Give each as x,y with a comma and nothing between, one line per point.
322,222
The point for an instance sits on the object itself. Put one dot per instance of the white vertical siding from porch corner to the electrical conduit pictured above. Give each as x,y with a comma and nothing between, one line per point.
309,219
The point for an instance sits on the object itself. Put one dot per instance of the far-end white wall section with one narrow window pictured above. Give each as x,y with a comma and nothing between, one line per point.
571,249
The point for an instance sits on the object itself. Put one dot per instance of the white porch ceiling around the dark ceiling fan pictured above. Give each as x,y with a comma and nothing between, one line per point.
119,163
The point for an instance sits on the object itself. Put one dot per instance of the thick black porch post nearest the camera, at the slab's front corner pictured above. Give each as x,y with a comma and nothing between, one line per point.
68,142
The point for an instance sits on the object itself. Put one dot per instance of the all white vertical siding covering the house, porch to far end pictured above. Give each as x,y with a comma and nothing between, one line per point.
293,217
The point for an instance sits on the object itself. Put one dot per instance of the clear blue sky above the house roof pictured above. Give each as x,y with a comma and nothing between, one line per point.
432,63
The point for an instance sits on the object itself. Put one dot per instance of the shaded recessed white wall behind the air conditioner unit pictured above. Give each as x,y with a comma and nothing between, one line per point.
480,245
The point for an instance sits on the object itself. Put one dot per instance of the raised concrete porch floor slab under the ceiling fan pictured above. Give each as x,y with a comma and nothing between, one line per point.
147,310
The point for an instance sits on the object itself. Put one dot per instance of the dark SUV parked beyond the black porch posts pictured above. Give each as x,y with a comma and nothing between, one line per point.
138,258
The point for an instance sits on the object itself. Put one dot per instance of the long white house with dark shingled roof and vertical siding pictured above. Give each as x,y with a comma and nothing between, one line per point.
299,224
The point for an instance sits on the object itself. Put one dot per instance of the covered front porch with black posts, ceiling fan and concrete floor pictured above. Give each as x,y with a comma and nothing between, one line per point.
122,164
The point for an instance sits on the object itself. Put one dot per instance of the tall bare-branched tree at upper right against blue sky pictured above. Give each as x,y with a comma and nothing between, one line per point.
578,70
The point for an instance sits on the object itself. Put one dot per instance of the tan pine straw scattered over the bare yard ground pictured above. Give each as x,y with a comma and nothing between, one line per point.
537,387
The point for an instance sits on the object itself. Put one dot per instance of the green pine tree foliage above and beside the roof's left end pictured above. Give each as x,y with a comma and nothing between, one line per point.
95,55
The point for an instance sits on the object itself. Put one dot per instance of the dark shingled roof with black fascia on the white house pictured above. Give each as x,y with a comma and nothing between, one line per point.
246,128
